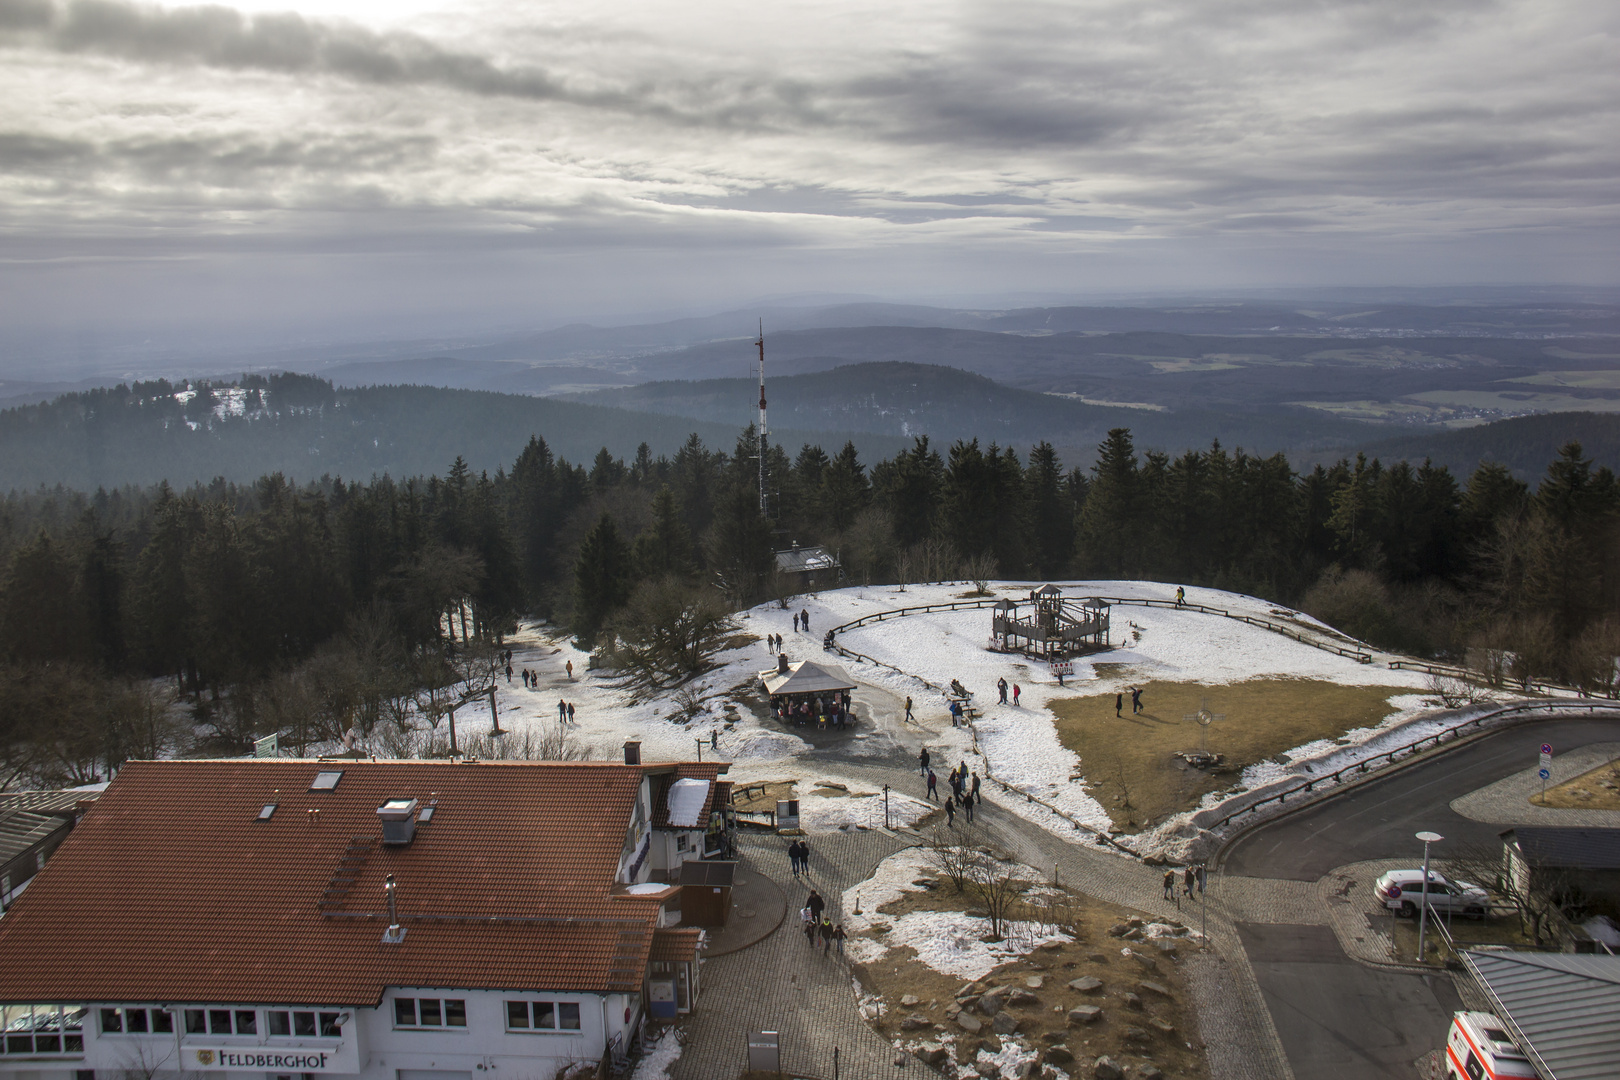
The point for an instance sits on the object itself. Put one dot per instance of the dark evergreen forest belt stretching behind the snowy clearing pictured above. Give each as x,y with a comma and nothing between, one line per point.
335,606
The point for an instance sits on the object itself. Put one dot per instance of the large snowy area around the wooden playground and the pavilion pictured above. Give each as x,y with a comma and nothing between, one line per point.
1020,742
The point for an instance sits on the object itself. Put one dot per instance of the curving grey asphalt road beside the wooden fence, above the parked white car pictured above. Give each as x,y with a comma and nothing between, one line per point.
1378,820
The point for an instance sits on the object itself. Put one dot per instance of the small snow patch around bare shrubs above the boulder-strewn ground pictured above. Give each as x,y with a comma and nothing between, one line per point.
950,943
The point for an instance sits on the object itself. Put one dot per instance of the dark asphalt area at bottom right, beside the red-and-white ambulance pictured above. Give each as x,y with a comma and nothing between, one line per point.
1339,1019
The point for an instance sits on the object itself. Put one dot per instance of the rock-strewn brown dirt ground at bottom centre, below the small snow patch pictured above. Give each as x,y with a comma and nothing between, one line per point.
1136,1026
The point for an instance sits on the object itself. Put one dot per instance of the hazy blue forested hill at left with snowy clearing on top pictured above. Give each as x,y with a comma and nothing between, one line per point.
145,435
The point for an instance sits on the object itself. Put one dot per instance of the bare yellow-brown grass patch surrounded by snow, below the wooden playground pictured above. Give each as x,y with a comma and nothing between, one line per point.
1130,765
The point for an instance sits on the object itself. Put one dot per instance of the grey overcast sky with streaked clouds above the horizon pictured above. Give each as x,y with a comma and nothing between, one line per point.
322,168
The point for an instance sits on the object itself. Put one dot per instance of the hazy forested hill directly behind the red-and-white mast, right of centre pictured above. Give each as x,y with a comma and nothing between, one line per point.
911,399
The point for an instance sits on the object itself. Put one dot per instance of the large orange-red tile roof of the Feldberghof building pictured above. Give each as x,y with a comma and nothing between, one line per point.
174,891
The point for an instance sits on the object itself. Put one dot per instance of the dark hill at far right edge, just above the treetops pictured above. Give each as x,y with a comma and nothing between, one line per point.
1525,444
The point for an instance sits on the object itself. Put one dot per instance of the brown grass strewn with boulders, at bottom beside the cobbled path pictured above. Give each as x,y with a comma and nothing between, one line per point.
1046,1024
